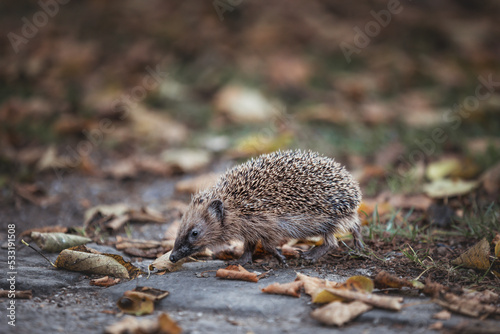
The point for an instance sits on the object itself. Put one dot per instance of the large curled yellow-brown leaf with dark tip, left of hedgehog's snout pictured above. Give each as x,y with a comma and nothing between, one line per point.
83,259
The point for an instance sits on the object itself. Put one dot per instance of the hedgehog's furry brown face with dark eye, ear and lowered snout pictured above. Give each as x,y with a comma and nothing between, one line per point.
200,227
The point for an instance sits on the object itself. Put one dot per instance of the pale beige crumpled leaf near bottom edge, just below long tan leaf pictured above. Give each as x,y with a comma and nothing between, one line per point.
337,313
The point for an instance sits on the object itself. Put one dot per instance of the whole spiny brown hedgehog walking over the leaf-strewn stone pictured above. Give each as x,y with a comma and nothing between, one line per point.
277,196
